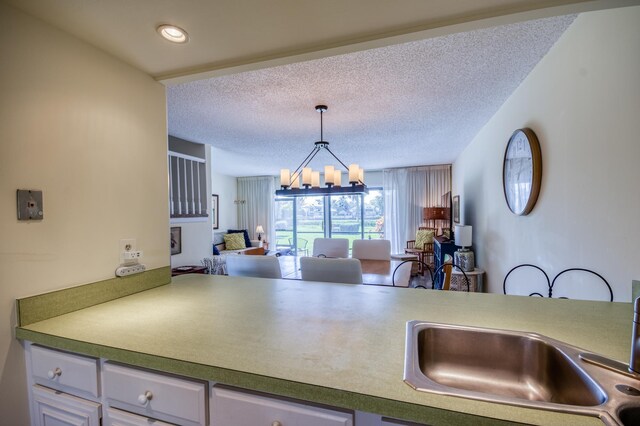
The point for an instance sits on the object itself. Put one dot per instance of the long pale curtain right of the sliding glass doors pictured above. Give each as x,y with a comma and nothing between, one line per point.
406,192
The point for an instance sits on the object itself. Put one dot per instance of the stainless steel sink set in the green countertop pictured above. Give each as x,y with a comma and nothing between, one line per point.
516,368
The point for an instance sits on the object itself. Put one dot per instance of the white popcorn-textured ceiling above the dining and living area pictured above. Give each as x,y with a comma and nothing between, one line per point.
410,104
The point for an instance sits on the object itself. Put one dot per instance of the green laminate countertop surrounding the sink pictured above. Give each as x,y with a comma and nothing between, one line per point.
335,344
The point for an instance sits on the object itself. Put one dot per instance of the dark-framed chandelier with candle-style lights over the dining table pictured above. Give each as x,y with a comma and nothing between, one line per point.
304,181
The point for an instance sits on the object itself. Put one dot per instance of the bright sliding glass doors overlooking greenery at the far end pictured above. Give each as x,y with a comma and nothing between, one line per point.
300,220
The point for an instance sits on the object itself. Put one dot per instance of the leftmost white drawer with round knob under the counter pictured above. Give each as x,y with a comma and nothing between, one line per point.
64,371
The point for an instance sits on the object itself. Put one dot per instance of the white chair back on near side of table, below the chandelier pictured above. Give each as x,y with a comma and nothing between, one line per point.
348,271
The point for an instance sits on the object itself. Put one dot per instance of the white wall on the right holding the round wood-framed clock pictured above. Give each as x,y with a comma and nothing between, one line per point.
583,102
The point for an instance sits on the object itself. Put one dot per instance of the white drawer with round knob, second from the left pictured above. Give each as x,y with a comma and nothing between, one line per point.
160,396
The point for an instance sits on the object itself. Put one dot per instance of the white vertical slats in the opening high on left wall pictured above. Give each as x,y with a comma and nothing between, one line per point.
187,186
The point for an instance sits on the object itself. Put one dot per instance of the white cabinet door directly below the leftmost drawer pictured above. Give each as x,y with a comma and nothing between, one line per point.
55,408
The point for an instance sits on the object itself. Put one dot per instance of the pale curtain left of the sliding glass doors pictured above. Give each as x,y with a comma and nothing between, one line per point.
256,205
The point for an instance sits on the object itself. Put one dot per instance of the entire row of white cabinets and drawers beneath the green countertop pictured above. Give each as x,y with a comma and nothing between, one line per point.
74,390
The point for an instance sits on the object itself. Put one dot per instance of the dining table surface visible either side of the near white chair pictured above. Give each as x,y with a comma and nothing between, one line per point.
374,272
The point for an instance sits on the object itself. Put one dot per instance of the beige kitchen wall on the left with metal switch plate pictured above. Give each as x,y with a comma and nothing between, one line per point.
90,132
